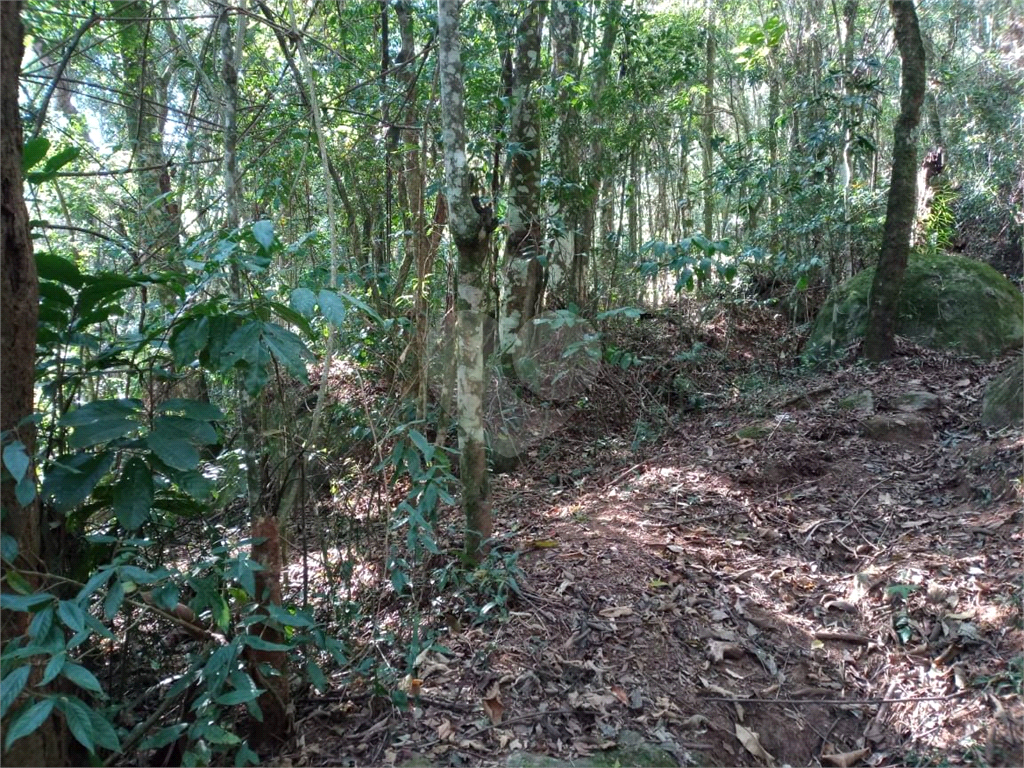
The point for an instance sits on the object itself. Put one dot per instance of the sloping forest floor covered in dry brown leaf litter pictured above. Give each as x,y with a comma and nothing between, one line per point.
732,563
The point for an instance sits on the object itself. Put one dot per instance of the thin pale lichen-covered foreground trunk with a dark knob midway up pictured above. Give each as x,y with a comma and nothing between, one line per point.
471,225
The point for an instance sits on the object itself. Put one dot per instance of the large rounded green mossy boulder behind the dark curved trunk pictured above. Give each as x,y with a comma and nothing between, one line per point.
948,303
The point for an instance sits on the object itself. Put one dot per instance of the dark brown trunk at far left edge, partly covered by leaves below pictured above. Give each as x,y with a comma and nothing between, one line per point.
19,319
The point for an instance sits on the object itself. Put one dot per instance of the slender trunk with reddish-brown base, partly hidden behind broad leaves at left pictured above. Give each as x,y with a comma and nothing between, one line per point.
267,549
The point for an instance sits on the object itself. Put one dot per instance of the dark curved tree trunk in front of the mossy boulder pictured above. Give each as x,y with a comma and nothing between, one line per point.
903,188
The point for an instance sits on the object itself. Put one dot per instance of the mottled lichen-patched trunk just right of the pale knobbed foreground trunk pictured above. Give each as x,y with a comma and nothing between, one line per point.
523,285
